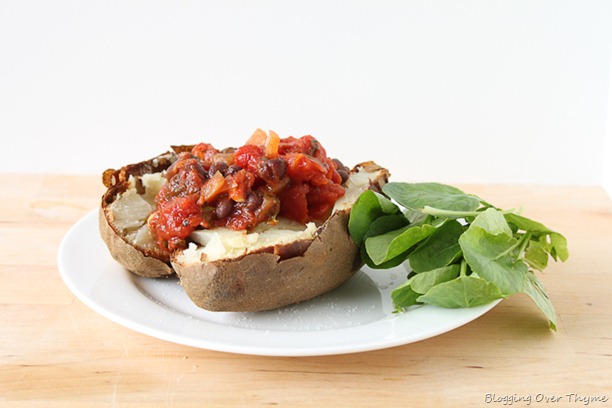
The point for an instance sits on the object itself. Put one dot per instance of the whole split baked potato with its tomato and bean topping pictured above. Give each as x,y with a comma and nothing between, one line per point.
282,252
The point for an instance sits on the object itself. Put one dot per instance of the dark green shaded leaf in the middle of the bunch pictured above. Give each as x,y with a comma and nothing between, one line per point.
440,249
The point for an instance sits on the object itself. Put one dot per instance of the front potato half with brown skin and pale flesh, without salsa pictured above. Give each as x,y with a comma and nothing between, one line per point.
266,277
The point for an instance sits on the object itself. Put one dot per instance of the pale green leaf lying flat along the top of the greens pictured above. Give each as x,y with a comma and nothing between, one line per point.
417,196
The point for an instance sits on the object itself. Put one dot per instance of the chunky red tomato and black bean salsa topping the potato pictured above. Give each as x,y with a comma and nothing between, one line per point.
240,188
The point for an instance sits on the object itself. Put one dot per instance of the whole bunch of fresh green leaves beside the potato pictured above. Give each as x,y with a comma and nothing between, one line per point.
462,251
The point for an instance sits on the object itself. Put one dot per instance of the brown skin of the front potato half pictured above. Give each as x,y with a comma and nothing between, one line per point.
263,281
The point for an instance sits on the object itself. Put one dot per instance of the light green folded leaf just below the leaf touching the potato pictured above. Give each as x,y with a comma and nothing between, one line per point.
387,246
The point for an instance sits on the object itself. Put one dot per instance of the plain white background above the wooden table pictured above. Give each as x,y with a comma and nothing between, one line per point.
453,91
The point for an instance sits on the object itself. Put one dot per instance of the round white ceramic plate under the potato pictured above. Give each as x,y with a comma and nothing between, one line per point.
356,317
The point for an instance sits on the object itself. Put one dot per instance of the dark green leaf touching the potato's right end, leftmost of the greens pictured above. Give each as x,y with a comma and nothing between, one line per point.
368,207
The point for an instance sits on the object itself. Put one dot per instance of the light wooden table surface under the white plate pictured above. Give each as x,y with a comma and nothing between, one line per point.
56,352
